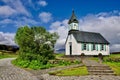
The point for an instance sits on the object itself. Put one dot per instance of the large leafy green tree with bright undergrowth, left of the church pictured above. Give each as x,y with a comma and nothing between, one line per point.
36,47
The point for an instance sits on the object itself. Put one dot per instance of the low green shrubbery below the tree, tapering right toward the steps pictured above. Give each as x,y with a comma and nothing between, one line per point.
39,62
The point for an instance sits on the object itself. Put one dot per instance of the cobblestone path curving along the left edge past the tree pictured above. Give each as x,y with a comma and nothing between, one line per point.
10,72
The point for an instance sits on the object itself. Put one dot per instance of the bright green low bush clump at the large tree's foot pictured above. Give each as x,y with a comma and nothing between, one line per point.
29,61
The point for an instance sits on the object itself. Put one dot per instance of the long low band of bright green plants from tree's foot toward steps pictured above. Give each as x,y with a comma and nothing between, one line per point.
38,64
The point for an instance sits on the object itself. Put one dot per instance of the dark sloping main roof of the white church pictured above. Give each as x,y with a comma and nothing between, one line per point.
88,37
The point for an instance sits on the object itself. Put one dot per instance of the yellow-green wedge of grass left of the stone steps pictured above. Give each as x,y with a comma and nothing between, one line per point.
78,71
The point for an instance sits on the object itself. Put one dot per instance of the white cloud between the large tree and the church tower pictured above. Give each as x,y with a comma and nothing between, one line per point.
62,29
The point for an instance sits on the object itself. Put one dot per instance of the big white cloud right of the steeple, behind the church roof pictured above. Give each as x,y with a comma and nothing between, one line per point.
108,26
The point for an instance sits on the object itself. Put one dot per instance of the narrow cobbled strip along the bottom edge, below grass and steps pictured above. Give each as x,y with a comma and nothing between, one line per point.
89,77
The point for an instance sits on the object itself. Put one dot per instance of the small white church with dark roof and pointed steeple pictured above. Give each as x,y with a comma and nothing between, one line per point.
82,42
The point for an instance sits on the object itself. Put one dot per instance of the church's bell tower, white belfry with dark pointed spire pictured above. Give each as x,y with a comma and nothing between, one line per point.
73,22
